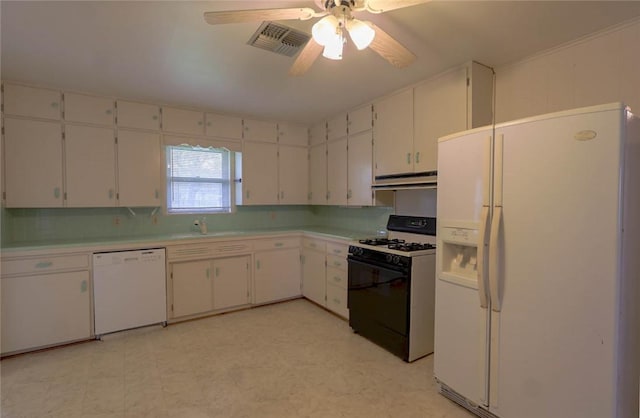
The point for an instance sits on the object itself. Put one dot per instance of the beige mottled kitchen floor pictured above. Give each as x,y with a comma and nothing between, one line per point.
291,359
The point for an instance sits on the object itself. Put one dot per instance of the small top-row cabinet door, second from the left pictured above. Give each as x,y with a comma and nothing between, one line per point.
88,109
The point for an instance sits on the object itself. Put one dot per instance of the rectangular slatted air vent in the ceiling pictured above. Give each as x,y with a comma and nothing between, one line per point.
278,38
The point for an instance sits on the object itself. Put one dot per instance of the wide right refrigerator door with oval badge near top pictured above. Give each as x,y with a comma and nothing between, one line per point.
556,271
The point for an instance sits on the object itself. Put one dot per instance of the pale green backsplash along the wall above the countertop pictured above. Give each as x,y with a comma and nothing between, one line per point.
71,224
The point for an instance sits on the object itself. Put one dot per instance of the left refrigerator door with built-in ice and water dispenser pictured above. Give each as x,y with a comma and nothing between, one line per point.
461,331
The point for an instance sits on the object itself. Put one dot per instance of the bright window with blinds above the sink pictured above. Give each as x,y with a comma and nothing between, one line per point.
198,180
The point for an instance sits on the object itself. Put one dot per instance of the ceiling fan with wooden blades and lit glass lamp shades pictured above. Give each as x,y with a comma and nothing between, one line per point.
329,33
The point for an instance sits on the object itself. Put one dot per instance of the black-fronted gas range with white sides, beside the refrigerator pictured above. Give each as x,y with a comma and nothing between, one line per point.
391,287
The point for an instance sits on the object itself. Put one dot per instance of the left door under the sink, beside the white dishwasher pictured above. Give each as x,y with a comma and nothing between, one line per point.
191,282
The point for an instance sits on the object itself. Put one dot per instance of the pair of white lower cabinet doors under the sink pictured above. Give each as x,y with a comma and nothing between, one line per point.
203,286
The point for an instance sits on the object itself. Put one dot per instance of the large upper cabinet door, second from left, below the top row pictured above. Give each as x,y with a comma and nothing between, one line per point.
91,166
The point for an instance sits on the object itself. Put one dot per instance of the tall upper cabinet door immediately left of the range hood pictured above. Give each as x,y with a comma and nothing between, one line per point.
360,173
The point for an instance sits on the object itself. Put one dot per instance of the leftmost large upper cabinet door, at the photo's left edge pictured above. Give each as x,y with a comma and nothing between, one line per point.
33,163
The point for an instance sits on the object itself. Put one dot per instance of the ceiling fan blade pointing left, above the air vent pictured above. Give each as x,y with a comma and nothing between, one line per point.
258,15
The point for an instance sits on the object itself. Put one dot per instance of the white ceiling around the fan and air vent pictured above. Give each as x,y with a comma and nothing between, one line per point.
165,52
